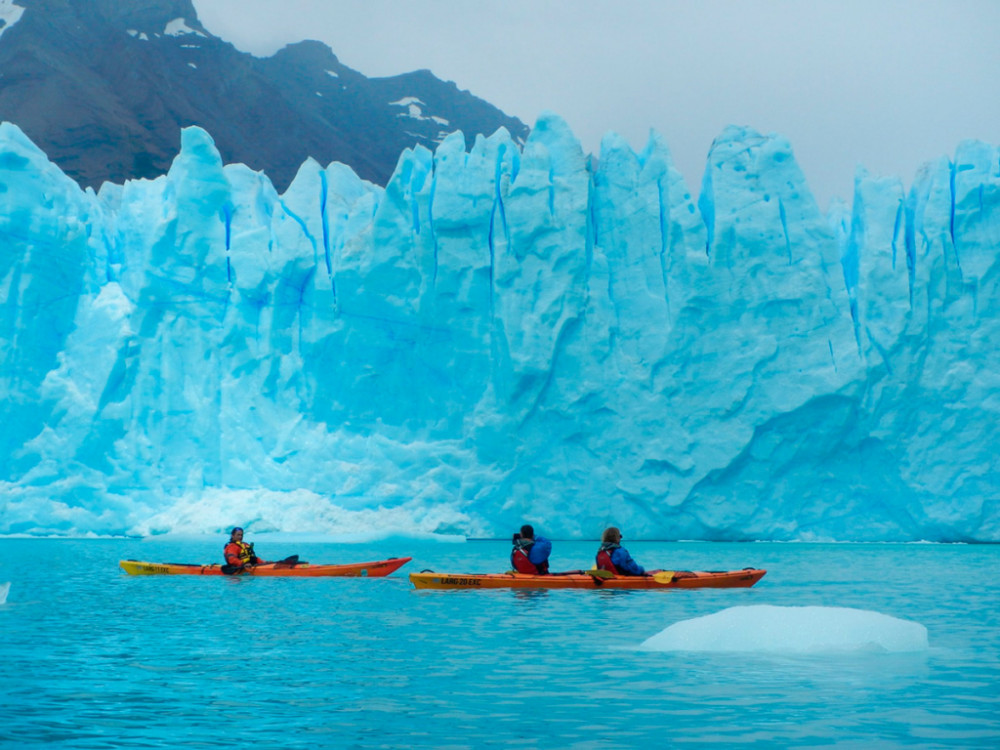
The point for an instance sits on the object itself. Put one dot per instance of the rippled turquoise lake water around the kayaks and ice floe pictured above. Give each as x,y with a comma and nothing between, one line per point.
92,658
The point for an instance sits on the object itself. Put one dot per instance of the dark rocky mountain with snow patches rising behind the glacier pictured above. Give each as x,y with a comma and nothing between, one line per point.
104,88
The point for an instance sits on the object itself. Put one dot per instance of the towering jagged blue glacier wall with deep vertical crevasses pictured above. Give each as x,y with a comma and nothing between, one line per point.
498,336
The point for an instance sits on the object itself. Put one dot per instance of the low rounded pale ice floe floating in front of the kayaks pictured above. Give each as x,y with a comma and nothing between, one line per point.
773,629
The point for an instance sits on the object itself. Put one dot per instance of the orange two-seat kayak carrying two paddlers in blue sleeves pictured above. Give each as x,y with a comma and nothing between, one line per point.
591,579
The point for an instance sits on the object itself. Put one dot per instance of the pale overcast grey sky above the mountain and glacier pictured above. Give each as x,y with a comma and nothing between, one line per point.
888,84
